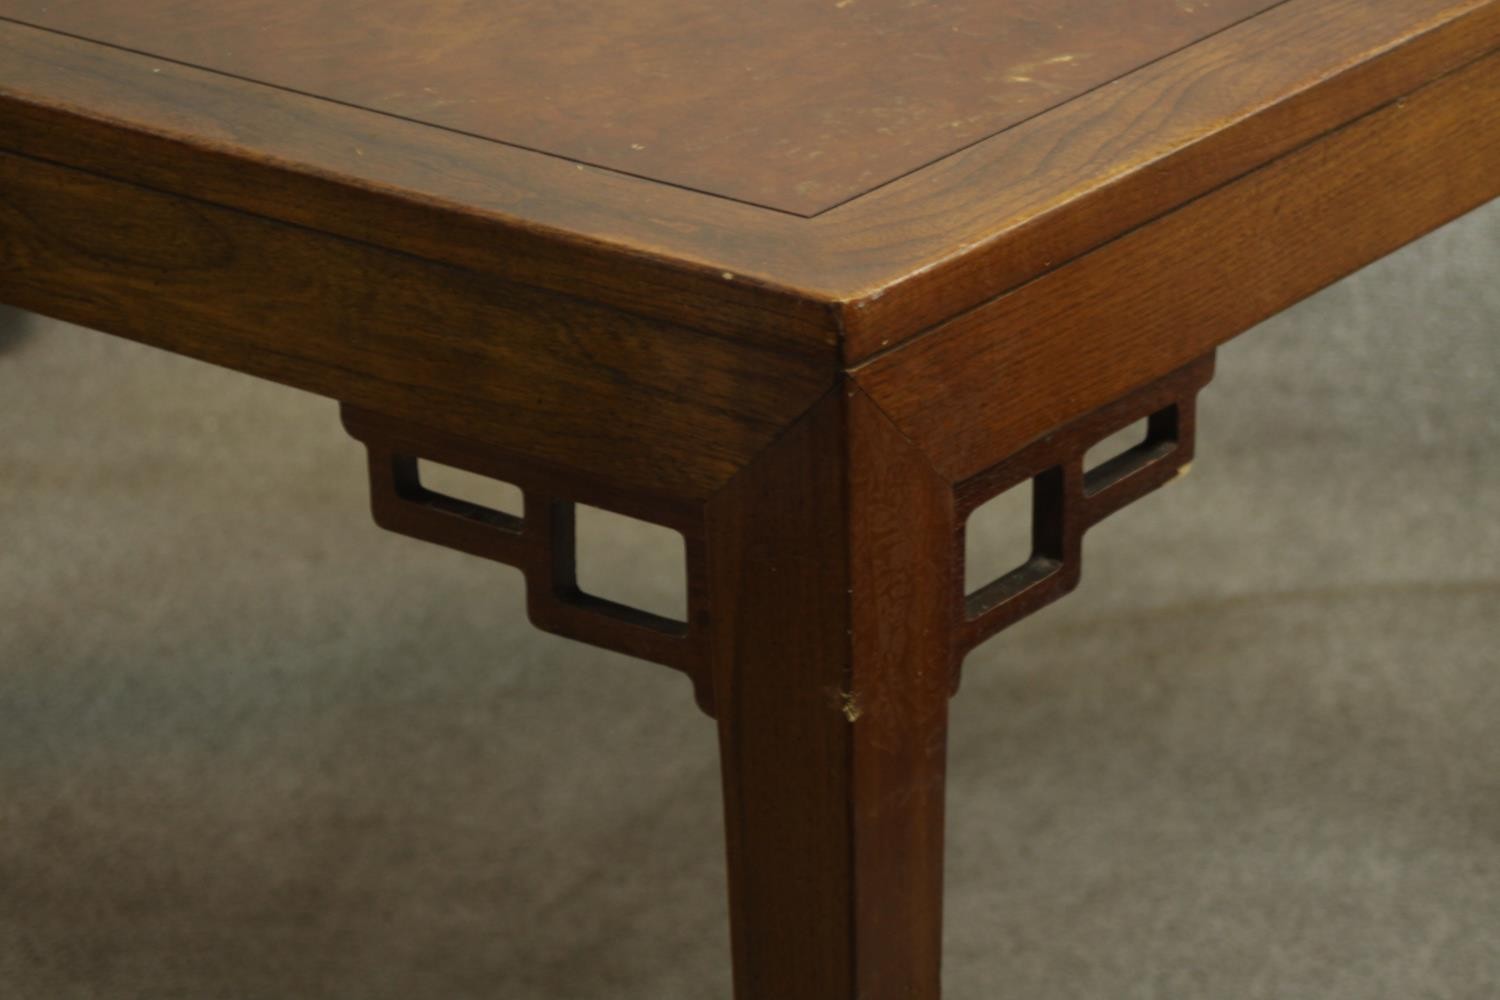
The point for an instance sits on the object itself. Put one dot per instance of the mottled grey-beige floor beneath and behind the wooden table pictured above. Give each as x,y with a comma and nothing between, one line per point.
254,749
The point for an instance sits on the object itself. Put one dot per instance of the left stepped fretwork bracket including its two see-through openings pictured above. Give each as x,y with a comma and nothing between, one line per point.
643,599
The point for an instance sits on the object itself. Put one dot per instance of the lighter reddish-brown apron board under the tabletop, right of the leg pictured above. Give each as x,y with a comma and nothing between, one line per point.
985,385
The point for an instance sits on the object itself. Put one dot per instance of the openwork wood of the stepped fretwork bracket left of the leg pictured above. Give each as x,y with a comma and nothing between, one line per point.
541,543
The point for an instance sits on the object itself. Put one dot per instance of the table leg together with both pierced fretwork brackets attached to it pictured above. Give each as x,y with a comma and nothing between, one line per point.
827,623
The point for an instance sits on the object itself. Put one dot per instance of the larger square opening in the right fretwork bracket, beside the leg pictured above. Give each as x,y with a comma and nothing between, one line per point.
1015,542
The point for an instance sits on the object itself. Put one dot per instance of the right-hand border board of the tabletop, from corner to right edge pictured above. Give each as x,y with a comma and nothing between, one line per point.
1028,202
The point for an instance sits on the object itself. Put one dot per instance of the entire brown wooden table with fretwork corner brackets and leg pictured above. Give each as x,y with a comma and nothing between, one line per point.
808,283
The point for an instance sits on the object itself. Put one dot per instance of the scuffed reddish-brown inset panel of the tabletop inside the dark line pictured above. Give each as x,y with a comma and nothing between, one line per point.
784,104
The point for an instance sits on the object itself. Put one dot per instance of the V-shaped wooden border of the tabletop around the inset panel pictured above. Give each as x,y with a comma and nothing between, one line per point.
854,281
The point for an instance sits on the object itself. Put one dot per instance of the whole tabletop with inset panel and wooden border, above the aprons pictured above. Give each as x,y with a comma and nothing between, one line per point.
808,176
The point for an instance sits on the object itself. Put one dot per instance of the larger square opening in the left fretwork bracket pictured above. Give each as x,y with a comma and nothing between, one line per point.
631,563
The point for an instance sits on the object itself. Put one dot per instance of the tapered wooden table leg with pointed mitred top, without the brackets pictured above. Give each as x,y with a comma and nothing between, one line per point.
832,563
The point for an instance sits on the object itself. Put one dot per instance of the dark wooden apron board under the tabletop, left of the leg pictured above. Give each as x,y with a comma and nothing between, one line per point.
640,404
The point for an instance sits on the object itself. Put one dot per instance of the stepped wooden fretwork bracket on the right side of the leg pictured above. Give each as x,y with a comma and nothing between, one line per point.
1069,501
